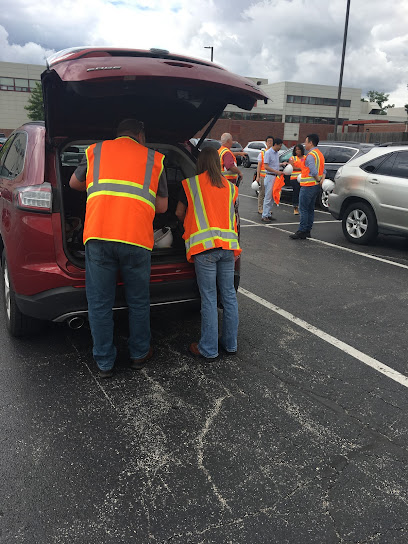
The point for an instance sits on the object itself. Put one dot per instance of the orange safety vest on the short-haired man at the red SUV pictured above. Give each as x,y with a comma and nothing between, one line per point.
121,182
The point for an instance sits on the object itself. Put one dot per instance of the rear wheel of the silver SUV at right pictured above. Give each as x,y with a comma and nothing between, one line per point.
359,223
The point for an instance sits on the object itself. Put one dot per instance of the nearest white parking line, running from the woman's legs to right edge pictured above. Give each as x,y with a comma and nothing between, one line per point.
346,348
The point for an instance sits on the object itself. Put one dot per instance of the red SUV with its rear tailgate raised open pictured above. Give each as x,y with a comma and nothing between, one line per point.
87,91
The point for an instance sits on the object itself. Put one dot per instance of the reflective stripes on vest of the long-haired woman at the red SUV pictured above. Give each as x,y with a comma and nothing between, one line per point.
207,236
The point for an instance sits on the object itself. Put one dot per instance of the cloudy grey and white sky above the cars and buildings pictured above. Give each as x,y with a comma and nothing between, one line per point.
282,40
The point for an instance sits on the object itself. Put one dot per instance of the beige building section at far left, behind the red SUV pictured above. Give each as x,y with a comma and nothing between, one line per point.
16,82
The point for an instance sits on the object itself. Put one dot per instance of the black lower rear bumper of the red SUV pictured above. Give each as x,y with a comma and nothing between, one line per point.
65,302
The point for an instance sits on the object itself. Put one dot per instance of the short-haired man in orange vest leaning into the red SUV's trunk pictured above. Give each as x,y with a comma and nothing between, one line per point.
126,186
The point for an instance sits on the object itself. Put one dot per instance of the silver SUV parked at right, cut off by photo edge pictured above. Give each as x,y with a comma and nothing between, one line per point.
371,194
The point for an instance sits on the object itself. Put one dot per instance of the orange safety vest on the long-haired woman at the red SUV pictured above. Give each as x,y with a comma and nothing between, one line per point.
210,218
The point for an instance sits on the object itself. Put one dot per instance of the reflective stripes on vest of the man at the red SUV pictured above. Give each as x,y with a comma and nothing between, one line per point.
121,187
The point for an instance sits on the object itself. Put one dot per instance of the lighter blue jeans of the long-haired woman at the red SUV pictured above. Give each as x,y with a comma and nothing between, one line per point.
216,267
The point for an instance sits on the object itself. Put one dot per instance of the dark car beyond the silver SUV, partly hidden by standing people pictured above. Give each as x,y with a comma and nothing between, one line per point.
335,155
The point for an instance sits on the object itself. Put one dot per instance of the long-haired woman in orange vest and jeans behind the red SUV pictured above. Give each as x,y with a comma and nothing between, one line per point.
207,206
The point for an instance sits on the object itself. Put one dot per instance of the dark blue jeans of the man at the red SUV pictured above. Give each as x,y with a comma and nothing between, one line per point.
103,260
